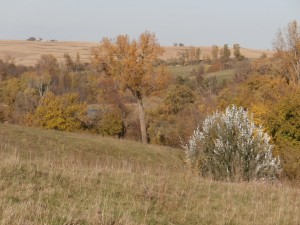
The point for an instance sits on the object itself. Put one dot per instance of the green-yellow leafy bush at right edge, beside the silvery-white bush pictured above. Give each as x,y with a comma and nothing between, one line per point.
283,123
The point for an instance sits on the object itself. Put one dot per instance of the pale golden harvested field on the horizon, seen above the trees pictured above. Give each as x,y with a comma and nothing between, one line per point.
28,52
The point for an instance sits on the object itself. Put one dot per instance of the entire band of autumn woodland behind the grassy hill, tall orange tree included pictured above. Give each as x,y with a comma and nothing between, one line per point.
128,91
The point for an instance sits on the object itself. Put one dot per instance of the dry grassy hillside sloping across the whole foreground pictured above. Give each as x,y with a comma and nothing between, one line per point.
49,177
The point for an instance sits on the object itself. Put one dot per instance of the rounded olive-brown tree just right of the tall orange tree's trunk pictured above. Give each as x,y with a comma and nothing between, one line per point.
167,121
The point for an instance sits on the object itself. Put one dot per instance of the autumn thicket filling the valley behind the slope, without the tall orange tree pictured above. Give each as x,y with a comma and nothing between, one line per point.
60,96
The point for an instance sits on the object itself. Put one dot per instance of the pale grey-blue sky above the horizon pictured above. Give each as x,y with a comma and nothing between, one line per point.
251,23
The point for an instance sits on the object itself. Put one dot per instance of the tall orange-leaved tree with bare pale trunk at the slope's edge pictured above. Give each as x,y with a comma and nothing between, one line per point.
132,64
